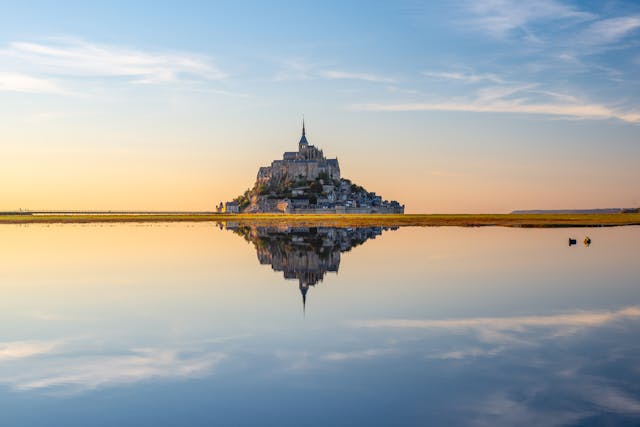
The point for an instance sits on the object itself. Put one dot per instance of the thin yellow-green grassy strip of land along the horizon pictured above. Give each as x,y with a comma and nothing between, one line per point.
333,220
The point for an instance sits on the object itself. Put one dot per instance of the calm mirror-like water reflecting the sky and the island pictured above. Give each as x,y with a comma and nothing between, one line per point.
190,324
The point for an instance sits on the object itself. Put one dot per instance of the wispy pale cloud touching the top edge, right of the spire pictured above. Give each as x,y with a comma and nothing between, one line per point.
500,17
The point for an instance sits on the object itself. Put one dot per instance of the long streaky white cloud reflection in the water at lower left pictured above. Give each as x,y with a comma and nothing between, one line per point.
82,373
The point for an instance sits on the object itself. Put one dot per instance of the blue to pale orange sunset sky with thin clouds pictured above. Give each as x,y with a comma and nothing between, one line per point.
478,106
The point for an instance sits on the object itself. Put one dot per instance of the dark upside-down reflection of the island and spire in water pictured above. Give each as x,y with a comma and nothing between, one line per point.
304,253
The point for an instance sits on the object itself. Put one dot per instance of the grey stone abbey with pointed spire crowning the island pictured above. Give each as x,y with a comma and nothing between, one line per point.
308,163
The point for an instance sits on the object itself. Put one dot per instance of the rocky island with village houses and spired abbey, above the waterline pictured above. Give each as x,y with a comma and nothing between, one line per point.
305,181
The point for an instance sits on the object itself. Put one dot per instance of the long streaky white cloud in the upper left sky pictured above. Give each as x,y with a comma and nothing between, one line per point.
79,58
